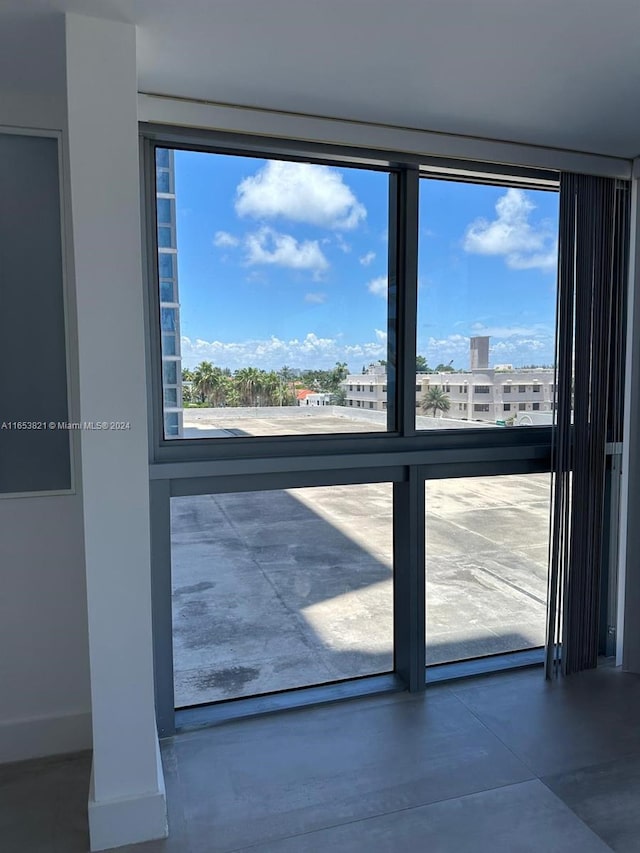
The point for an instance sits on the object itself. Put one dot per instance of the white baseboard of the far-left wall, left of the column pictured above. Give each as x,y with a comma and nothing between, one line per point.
37,737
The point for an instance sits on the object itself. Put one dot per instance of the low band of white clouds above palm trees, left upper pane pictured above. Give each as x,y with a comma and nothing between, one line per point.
272,353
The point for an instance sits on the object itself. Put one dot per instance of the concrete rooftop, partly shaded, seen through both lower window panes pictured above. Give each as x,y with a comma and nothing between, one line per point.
274,590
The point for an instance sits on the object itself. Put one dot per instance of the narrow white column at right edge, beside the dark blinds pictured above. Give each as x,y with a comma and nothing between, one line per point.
628,629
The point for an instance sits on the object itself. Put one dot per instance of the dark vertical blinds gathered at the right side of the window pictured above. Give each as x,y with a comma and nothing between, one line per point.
589,347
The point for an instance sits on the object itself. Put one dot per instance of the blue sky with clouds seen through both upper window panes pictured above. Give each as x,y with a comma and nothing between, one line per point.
286,263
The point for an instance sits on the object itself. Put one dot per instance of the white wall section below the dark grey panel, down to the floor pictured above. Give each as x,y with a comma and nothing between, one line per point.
44,676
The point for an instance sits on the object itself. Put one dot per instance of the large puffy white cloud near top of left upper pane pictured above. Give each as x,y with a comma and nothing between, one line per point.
302,192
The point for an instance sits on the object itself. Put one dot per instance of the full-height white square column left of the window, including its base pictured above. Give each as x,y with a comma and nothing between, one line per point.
127,800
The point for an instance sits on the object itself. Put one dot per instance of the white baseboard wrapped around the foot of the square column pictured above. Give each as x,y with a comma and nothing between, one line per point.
114,823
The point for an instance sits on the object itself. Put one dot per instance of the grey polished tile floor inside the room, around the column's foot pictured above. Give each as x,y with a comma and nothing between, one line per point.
506,763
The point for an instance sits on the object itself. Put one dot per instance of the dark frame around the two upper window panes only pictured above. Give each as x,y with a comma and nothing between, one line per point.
406,172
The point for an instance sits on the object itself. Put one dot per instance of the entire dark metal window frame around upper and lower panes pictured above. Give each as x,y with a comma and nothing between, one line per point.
402,455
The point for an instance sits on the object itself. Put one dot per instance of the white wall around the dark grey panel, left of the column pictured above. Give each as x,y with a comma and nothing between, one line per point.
44,676
